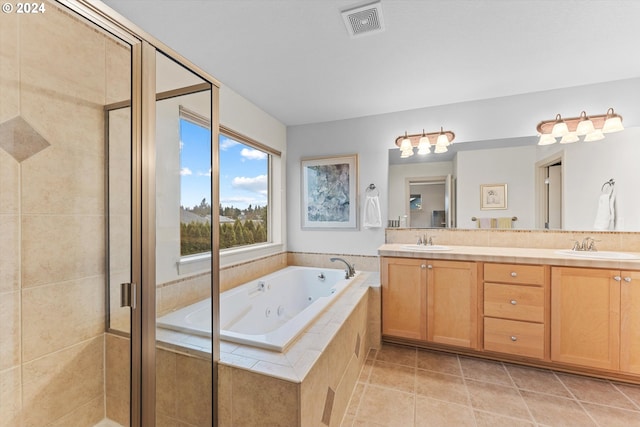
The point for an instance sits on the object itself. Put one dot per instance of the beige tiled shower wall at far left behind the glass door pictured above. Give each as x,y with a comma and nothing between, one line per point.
52,215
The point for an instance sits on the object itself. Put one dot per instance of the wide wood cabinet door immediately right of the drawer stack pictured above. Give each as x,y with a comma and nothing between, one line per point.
585,317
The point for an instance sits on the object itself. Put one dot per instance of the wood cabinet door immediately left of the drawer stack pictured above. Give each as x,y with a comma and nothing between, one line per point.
452,303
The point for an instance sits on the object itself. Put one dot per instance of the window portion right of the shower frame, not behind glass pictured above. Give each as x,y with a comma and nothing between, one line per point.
244,192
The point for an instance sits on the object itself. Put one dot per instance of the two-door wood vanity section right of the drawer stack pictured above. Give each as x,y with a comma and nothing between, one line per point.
595,319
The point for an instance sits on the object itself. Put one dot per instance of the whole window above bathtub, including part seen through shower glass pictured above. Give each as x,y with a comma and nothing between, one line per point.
244,188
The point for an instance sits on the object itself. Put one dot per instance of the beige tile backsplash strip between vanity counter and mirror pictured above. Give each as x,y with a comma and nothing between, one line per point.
611,241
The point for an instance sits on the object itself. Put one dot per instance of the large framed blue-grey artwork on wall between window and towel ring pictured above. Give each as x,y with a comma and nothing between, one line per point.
329,192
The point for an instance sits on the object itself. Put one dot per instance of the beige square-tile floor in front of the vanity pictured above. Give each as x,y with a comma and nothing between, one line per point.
404,387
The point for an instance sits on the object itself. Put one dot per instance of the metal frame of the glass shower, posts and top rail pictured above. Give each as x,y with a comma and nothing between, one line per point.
143,233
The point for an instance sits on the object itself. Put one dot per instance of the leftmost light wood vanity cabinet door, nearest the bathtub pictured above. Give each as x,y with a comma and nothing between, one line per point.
404,298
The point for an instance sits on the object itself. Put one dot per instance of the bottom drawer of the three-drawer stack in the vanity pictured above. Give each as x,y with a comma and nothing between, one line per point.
514,337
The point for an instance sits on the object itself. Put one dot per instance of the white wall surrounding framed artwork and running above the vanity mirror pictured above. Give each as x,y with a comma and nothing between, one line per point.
371,137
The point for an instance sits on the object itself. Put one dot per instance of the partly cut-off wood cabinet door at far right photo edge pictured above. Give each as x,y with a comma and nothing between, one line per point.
630,322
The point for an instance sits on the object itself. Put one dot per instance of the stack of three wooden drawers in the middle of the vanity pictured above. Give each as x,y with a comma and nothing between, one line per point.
514,298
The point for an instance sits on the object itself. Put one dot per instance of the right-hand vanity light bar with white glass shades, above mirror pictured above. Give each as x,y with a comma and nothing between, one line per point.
592,128
